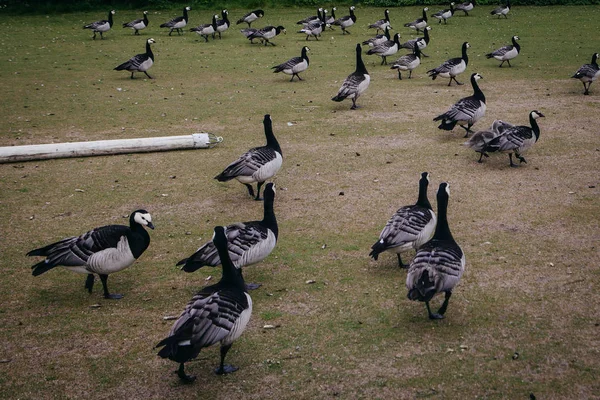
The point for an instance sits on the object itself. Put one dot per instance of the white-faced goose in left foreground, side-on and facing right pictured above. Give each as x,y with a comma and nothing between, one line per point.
103,251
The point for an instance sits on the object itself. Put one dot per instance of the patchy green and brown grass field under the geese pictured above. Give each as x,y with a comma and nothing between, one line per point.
524,319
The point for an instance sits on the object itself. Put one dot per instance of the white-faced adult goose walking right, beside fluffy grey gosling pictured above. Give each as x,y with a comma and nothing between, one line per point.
517,139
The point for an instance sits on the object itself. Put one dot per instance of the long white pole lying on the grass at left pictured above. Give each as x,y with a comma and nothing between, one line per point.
107,147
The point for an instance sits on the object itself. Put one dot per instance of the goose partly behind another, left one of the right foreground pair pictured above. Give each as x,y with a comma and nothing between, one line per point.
409,227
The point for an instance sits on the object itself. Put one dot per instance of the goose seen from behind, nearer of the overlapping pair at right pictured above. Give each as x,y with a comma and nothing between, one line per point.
439,263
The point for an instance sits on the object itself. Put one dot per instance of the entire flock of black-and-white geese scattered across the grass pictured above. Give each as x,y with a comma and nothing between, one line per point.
220,313
